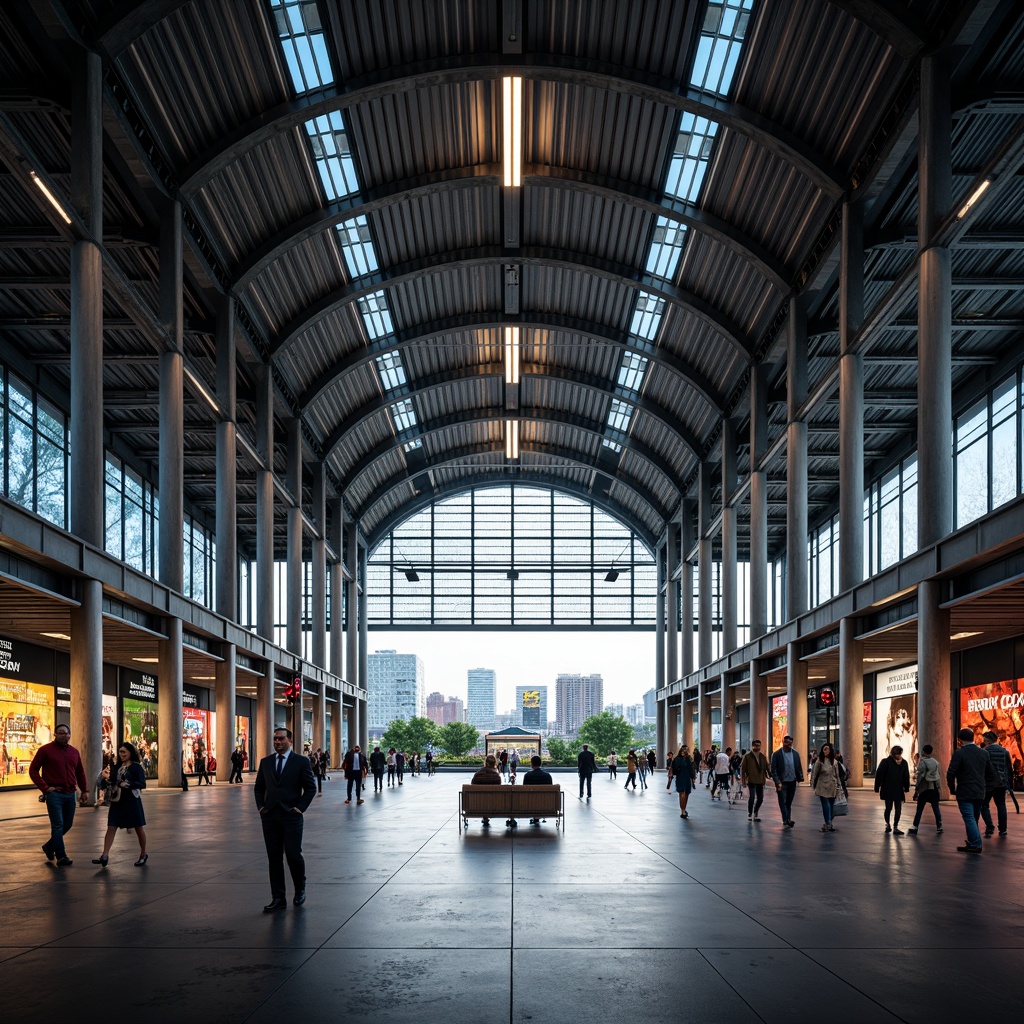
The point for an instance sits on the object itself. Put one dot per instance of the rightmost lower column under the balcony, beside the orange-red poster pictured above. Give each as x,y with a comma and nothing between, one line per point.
935,719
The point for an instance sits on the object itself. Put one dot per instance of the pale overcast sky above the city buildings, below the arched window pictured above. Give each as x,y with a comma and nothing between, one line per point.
625,660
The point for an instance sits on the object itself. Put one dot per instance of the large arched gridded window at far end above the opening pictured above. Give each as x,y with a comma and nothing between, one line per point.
513,557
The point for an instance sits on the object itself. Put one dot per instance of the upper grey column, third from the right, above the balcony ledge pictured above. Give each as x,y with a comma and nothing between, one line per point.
796,466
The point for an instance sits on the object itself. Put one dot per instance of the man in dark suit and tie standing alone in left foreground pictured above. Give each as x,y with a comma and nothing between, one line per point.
285,789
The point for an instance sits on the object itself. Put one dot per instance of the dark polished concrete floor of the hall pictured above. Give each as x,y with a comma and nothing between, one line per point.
630,913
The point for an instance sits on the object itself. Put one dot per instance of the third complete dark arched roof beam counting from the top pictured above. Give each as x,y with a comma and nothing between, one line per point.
620,274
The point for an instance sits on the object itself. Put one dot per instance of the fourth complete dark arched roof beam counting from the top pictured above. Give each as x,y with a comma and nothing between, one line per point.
540,322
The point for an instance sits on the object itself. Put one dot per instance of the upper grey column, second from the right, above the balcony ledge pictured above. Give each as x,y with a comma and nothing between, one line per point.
851,401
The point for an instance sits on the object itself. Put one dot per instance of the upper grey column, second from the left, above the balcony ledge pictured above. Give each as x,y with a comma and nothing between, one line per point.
172,408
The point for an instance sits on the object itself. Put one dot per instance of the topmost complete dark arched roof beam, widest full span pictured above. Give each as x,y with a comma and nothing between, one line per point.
561,69
